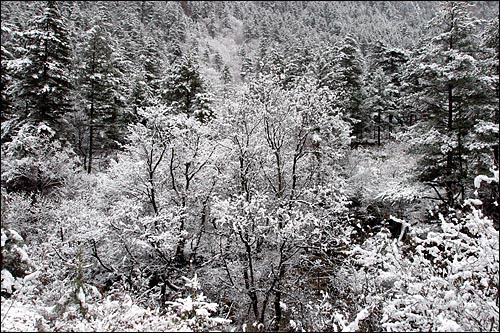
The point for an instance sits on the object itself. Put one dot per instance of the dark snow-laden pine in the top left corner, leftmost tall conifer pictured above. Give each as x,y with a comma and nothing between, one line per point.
45,70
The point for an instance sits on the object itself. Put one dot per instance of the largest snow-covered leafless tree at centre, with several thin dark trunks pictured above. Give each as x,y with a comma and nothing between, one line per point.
284,144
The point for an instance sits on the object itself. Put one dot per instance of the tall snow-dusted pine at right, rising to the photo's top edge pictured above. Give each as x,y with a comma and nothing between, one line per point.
448,96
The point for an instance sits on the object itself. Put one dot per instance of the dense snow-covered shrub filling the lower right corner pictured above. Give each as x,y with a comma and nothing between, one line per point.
443,279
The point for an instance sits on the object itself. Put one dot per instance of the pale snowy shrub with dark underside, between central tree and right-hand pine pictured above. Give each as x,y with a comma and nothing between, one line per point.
381,184
